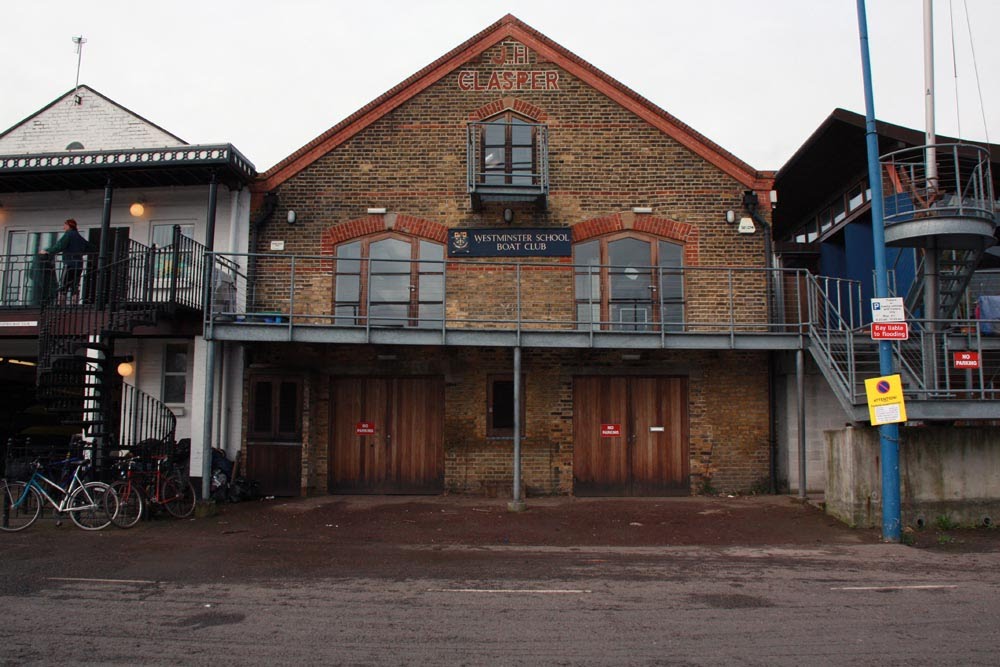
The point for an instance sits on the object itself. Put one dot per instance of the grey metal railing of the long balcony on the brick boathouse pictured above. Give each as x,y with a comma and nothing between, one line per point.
309,290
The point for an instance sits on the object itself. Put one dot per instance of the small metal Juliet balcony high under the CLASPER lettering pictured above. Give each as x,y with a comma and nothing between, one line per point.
507,162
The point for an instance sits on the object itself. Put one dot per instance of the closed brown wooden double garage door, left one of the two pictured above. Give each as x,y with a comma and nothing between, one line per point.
387,435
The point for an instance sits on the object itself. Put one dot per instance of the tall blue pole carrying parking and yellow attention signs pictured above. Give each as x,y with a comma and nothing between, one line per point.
888,433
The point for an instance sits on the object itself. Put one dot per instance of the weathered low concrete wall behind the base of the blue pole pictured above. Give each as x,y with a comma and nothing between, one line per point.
952,472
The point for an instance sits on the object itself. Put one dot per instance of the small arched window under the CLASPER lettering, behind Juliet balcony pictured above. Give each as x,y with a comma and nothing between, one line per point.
508,155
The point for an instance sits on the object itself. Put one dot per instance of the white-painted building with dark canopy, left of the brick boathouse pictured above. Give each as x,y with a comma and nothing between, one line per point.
122,177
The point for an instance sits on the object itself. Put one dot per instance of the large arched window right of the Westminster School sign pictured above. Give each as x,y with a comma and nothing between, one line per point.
629,282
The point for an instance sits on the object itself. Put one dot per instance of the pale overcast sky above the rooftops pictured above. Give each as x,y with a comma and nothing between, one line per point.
755,76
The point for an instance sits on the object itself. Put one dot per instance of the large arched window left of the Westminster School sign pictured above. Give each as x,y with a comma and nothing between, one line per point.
390,279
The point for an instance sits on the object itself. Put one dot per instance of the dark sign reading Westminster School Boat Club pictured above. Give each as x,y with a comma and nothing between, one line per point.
542,242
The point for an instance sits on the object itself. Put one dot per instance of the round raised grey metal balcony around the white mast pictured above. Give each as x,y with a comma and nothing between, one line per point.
940,195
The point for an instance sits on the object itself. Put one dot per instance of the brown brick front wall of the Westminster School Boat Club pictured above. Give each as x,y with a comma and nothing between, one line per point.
604,160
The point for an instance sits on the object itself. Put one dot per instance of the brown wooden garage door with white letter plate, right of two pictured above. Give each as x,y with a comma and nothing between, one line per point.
630,436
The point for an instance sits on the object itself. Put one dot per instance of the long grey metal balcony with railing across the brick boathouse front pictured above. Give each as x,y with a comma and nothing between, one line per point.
496,303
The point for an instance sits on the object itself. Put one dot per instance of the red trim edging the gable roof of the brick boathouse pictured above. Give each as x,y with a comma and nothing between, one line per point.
510,27
